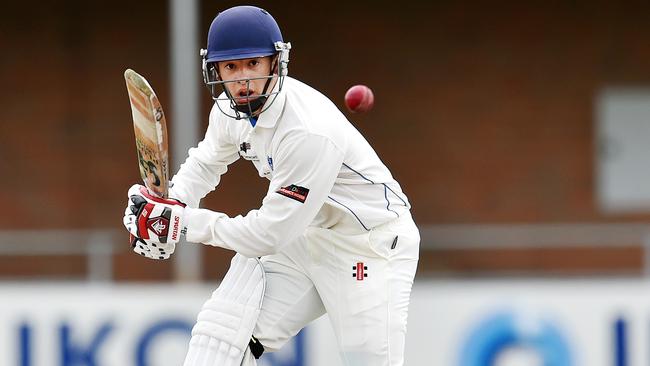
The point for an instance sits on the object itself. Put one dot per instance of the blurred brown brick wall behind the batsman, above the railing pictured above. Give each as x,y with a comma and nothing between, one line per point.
484,113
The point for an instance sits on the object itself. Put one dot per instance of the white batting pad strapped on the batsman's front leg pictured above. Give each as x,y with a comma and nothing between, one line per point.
226,322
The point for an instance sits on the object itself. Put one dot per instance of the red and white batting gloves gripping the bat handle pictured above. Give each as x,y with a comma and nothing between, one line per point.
155,224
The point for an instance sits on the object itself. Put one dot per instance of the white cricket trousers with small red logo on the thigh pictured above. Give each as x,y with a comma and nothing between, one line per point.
362,281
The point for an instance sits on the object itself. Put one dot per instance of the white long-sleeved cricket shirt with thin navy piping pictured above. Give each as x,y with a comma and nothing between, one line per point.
321,170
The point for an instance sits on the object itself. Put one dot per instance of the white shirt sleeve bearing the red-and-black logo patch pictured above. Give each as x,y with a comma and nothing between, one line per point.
306,166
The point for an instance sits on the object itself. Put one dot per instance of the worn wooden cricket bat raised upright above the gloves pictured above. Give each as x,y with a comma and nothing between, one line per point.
150,130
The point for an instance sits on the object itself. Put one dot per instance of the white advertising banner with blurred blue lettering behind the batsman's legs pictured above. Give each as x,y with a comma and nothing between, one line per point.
451,323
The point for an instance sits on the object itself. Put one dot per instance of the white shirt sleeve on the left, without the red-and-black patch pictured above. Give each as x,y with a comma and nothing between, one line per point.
202,170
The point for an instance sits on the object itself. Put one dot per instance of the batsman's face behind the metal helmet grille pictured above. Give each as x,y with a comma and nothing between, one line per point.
245,71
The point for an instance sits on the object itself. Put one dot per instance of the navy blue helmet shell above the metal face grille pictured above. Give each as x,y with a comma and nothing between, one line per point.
242,32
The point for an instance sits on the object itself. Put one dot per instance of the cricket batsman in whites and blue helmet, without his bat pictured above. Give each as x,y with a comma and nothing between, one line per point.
333,233
